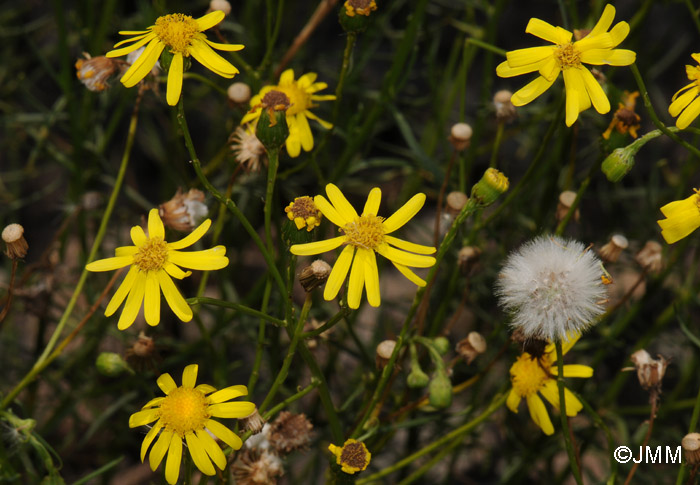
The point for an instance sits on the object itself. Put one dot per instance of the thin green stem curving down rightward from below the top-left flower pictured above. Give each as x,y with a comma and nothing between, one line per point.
230,205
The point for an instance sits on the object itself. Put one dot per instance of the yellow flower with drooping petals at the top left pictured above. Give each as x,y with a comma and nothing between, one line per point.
183,37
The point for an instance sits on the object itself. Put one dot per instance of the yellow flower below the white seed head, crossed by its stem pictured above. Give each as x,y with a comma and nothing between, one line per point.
530,375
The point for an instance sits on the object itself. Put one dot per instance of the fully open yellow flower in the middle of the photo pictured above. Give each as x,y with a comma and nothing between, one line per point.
363,236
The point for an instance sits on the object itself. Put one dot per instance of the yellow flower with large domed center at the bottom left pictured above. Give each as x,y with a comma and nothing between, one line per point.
185,414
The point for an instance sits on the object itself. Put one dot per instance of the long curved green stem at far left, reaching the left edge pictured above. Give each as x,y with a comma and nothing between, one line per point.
39,364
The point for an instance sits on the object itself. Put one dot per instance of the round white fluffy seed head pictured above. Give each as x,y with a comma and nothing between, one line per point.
553,287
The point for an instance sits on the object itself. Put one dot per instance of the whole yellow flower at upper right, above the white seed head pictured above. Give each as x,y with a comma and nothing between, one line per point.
567,57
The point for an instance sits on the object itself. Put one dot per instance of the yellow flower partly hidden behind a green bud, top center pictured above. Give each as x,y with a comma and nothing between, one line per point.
301,94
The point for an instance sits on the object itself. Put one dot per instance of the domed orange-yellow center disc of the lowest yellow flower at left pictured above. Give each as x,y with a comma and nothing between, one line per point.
184,410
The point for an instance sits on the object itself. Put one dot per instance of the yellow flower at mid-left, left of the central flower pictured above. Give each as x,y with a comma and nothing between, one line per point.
153,262
